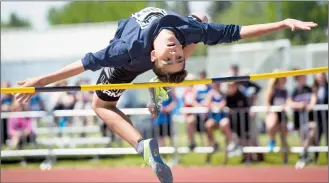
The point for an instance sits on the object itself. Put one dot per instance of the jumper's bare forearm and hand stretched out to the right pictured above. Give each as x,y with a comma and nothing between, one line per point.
259,30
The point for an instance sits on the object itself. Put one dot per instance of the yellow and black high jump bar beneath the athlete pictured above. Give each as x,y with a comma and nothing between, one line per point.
252,77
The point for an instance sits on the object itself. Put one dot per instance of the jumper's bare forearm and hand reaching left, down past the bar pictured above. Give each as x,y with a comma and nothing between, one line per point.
63,73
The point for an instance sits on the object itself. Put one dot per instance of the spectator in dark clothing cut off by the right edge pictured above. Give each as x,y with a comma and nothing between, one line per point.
320,87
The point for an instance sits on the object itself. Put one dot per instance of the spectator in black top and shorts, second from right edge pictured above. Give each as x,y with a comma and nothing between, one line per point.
302,102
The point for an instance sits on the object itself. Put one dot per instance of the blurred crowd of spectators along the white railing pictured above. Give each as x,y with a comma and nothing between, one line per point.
229,107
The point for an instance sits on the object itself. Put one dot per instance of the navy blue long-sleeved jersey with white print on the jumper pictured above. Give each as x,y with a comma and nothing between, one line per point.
133,41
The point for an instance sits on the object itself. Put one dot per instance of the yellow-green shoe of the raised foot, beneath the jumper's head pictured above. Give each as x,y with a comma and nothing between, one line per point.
158,95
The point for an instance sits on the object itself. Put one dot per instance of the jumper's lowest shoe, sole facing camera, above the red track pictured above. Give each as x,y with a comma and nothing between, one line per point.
153,159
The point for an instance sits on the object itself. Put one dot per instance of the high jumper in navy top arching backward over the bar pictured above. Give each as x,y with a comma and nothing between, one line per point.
151,39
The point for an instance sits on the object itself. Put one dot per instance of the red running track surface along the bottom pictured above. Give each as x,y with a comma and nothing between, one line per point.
181,174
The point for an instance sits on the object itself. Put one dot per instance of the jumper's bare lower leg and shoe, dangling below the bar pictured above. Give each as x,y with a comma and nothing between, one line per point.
122,126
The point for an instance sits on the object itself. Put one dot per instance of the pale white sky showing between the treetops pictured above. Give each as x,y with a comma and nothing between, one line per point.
36,11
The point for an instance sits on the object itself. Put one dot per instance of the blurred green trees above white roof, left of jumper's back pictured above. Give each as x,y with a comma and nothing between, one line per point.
99,11
